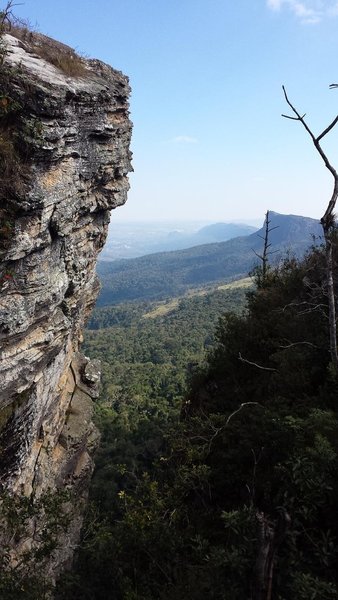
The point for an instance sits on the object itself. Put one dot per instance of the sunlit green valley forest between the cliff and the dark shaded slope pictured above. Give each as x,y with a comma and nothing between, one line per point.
147,352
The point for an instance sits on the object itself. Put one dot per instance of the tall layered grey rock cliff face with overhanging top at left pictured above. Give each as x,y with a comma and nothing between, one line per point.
70,159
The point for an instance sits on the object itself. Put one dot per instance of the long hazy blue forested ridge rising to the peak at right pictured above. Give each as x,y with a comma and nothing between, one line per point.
168,274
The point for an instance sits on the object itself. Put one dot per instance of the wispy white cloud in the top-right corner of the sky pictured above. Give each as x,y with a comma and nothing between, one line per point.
308,11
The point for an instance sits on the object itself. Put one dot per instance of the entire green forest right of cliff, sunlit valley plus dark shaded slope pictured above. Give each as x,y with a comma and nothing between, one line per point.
217,472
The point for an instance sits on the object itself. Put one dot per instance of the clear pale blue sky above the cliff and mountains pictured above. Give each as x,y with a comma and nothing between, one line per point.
209,142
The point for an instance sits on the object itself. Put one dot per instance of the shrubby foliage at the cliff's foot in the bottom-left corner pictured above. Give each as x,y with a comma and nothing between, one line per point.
30,533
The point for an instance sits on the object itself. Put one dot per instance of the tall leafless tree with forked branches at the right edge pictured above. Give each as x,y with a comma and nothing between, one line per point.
328,224
